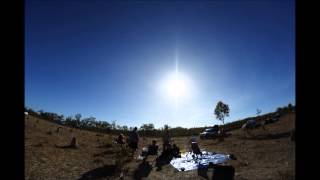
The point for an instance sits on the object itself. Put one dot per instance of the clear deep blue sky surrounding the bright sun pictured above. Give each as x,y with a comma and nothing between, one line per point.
111,60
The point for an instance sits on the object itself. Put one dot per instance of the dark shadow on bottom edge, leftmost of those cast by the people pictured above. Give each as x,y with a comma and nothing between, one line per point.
101,172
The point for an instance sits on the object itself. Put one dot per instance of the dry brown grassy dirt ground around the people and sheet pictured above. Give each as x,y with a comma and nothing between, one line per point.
265,154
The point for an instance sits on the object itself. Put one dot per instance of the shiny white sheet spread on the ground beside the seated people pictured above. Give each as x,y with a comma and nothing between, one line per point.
187,162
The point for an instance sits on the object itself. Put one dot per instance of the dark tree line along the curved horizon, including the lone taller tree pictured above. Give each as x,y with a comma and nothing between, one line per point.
146,130
